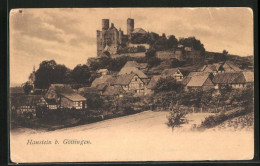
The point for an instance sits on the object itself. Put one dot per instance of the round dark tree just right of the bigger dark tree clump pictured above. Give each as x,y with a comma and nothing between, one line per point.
81,74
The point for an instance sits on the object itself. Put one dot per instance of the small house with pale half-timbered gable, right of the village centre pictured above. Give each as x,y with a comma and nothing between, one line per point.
177,73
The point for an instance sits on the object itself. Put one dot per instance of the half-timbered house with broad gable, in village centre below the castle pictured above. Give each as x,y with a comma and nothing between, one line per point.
131,83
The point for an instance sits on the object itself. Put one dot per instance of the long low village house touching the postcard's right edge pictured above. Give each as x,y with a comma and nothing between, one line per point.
234,80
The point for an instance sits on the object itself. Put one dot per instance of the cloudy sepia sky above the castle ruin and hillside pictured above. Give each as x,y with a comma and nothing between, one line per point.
68,36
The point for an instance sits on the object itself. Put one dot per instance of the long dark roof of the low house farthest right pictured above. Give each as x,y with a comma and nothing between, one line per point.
229,78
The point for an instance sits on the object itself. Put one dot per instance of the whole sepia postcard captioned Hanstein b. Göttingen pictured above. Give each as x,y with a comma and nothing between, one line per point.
131,84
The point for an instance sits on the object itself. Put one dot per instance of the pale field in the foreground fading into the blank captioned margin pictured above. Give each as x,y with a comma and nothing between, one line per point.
139,137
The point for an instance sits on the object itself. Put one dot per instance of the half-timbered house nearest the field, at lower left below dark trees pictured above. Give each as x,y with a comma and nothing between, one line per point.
63,96
